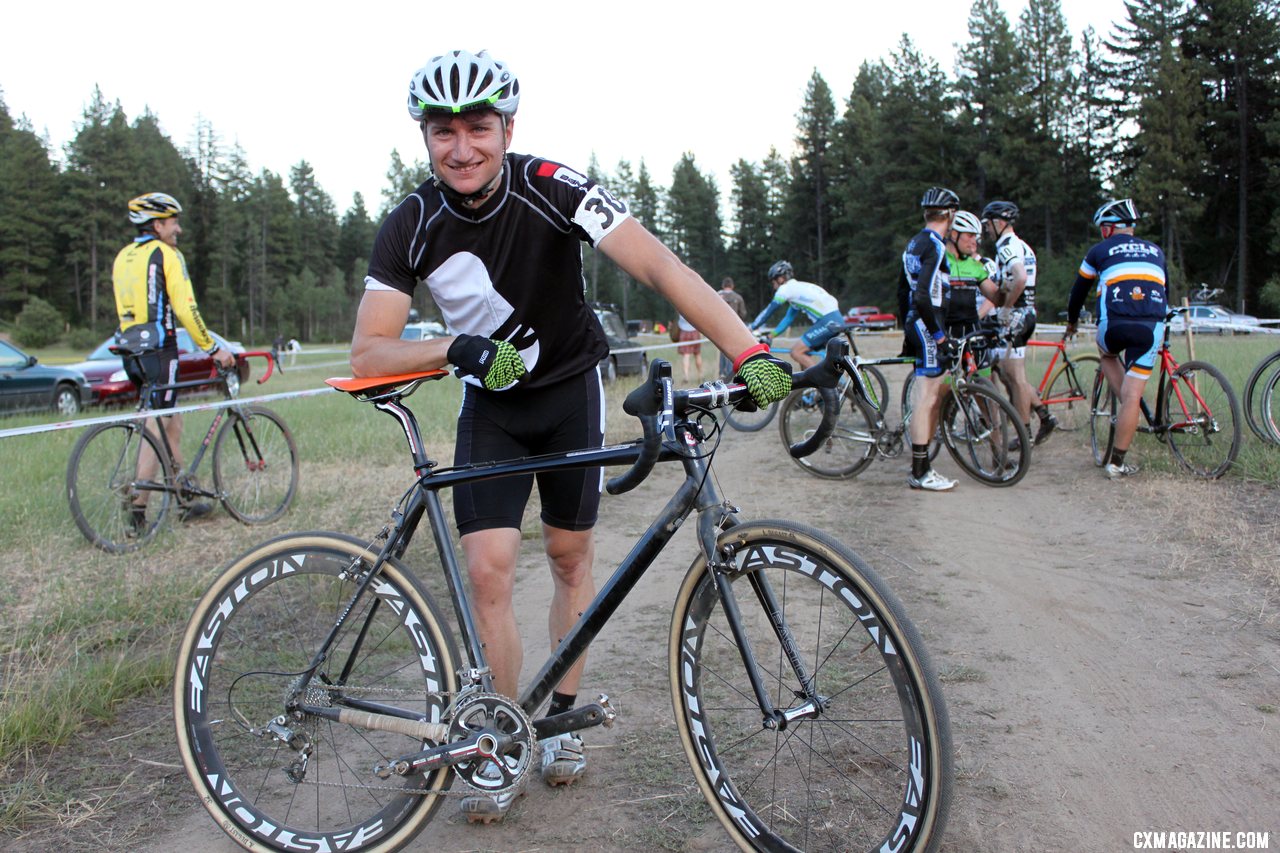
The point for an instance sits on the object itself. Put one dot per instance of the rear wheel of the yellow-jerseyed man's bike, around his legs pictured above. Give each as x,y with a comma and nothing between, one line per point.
115,467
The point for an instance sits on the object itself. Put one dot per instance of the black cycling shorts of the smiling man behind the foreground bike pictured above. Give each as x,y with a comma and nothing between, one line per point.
565,417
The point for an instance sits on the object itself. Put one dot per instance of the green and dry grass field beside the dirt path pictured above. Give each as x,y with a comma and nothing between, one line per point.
84,633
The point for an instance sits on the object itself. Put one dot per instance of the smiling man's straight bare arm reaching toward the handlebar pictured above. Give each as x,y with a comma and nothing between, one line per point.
647,261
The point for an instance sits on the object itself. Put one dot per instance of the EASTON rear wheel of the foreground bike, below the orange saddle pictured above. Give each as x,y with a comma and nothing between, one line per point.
273,774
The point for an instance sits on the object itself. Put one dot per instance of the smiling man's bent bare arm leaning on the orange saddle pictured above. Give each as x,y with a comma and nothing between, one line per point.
377,349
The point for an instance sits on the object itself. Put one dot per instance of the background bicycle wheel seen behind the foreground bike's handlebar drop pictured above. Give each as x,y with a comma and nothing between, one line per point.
852,445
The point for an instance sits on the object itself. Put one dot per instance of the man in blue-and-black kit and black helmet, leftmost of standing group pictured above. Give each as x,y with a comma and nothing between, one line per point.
927,273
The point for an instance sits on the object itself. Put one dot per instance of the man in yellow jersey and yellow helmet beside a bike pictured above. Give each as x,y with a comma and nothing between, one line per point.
153,295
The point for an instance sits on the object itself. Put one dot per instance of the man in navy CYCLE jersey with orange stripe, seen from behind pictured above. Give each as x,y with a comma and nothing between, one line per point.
1128,277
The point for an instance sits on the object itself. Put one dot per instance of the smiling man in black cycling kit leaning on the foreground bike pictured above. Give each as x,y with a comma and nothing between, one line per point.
497,239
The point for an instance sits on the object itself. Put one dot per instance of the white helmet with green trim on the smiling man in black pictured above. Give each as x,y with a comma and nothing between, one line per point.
461,81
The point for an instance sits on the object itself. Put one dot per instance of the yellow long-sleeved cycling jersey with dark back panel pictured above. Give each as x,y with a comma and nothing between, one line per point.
153,288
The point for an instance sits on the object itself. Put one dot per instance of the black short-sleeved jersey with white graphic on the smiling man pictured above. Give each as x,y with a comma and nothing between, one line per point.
510,270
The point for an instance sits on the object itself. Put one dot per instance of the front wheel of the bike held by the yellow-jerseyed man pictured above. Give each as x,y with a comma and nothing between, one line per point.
255,466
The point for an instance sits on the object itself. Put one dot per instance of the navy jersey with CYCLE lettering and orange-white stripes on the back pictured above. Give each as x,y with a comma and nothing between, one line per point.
1128,276
